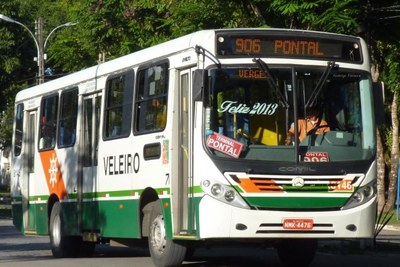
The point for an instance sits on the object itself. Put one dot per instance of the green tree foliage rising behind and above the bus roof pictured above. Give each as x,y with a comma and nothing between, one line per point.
107,29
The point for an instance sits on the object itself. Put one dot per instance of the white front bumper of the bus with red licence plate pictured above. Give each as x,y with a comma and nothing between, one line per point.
219,220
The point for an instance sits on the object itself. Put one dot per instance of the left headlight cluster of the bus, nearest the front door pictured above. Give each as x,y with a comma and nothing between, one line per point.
224,193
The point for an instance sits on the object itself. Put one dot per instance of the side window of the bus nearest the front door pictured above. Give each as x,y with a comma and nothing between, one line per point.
151,98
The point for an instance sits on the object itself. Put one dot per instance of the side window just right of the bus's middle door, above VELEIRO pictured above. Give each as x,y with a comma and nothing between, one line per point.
118,106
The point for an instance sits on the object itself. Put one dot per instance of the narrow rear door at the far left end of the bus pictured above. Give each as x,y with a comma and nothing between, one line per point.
28,172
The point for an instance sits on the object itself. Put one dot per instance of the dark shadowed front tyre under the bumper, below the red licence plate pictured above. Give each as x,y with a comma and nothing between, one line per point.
297,252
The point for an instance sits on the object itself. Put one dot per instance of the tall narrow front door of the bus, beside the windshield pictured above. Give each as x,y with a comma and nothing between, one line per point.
184,182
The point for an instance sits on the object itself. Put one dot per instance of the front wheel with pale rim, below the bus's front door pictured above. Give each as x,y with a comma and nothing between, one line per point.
164,252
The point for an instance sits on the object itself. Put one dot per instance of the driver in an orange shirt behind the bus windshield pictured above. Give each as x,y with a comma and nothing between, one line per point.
312,124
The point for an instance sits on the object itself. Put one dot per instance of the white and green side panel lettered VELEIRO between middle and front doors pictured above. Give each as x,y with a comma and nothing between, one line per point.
123,175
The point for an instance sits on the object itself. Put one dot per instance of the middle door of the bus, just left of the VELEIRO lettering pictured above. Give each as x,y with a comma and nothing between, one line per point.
87,183
